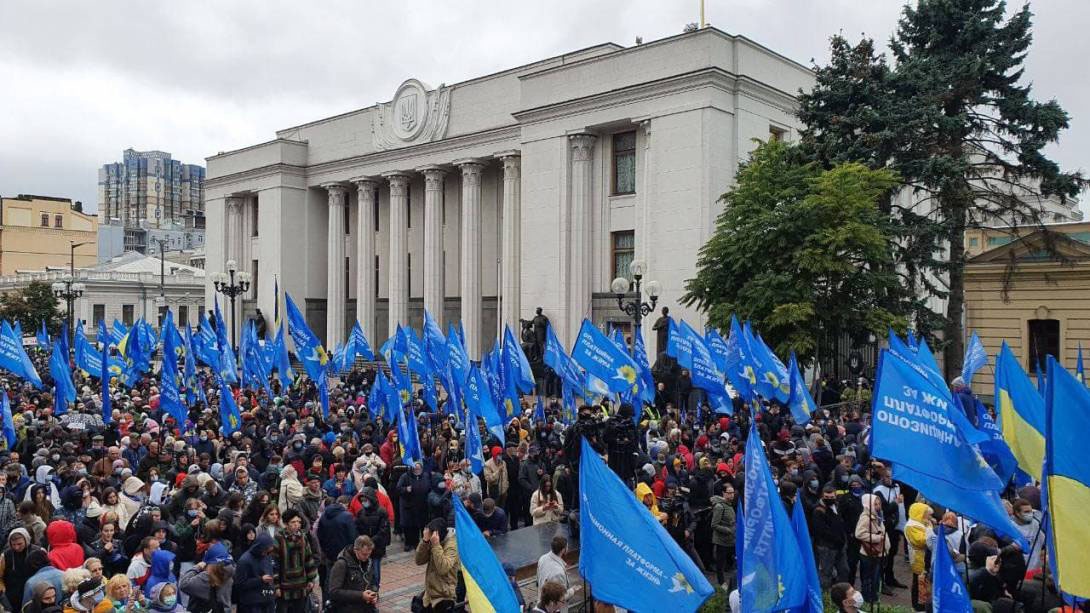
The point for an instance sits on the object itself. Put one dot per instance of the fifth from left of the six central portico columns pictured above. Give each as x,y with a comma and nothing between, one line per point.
471,255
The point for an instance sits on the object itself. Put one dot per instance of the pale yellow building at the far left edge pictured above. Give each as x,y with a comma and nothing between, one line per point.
37,233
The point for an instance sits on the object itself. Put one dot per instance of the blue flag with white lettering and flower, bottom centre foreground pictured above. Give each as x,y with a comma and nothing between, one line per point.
627,555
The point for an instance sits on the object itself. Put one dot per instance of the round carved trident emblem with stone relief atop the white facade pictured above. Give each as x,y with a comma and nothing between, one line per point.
416,115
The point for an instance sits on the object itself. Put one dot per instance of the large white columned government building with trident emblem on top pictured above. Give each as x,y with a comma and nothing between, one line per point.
483,200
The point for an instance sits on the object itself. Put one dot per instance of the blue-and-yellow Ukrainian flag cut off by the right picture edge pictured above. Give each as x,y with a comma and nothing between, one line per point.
1068,479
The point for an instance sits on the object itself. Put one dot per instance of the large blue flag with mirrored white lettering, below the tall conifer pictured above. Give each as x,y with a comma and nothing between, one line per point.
914,429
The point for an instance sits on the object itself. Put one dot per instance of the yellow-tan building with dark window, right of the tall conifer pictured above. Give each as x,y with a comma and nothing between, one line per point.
1036,298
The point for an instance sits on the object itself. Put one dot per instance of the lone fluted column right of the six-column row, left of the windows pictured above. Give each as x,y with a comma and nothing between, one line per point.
583,208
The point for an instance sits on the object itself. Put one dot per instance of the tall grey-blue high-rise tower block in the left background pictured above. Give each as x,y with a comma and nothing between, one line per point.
149,197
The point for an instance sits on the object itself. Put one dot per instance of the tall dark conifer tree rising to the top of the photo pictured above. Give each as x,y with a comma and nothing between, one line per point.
954,121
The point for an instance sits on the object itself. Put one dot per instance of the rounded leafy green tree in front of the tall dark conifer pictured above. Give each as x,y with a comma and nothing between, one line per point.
800,251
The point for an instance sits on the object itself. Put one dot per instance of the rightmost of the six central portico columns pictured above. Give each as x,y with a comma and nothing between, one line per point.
511,263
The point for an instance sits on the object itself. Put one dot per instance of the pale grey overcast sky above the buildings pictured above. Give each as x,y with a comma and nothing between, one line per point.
82,81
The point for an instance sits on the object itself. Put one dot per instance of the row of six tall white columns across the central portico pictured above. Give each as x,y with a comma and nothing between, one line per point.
470,234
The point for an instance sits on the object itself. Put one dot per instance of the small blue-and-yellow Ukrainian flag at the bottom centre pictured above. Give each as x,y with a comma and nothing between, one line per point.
488,590
